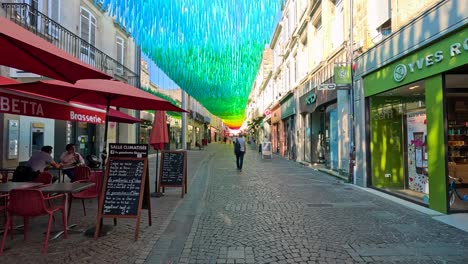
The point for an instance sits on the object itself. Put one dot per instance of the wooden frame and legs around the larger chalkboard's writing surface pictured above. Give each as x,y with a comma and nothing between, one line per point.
140,202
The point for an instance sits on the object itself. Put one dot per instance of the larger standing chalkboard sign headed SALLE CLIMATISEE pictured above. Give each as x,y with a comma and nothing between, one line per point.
125,184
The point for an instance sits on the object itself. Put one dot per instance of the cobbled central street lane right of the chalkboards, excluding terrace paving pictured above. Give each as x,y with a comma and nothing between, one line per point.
277,211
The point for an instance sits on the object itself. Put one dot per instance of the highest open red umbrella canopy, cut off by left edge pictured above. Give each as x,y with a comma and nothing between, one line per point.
23,50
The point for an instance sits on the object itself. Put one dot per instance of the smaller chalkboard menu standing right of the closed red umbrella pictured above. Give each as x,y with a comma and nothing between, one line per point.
173,170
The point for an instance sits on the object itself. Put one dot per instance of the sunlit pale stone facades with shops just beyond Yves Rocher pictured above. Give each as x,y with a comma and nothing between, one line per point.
306,115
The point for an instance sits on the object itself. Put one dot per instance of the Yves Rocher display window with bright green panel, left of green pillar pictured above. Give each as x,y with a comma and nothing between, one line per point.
398,136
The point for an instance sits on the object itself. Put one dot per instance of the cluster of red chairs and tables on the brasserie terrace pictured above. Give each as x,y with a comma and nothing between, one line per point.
27,203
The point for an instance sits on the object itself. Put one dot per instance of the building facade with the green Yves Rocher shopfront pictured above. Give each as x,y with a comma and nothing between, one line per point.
410,102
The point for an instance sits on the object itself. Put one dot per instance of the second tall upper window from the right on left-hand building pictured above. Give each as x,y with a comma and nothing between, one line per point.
88,36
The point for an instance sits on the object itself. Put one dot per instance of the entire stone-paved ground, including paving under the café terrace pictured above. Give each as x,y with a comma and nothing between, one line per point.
273,211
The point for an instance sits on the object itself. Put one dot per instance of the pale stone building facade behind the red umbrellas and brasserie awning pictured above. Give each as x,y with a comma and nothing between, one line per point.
83,30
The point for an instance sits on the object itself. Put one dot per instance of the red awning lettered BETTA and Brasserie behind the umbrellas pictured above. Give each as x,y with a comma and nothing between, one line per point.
30,104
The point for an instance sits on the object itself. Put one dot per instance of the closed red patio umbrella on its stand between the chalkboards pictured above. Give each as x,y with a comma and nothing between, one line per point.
159,136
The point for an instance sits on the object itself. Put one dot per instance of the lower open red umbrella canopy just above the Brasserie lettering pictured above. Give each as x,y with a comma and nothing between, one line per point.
98,91
